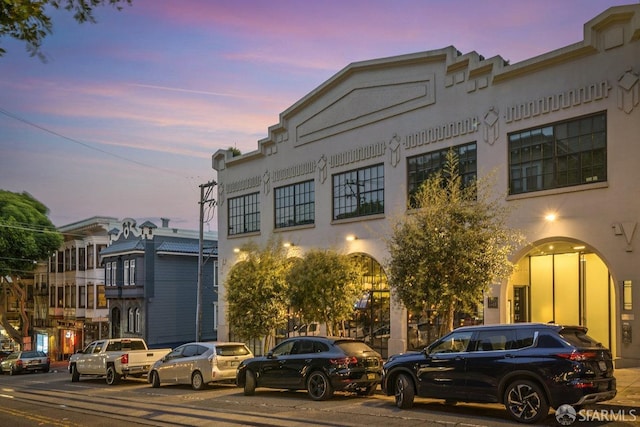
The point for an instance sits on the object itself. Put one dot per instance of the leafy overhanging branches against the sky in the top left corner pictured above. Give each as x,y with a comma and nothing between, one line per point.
30,21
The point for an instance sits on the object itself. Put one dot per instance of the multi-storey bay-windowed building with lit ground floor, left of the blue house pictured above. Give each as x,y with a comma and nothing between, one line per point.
70,308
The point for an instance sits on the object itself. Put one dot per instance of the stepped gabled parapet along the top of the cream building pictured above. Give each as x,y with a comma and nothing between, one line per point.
374,90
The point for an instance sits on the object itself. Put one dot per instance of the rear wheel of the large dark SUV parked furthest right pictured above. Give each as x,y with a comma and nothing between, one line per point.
525,402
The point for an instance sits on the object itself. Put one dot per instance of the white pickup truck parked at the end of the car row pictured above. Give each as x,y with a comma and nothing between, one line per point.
115,359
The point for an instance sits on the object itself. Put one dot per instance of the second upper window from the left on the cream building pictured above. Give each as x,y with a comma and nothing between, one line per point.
295,204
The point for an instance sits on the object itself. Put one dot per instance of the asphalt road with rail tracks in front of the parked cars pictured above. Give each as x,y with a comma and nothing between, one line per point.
51,399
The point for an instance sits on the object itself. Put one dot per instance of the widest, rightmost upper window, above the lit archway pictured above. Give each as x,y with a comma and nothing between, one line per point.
562,154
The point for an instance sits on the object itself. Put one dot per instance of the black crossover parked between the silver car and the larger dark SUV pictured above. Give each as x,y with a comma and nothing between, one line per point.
320,365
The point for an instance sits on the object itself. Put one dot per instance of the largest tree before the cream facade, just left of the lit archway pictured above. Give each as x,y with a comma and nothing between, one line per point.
451,246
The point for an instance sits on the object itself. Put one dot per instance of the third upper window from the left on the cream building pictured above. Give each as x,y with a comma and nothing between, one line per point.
358,192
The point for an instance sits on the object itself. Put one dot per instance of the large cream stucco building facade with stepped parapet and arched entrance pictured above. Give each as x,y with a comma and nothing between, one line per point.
388,111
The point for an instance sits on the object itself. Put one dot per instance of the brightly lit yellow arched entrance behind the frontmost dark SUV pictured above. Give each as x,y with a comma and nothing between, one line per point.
564,282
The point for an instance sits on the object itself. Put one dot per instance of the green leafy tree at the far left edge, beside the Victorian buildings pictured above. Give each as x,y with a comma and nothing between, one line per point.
26,237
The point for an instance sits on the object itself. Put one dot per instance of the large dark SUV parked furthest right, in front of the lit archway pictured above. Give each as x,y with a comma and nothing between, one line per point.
528,367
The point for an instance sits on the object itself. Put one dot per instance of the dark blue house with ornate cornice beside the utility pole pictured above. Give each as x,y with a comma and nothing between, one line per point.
151,283
